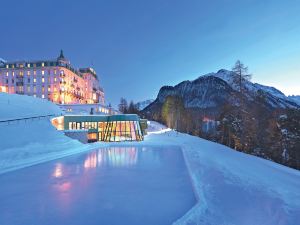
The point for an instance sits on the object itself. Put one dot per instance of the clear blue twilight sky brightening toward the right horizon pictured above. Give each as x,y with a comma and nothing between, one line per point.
137,46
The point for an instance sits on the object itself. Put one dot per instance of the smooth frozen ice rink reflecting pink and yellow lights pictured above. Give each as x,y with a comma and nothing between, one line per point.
116,185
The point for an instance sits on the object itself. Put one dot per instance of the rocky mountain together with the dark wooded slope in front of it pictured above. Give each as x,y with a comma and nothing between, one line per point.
250,120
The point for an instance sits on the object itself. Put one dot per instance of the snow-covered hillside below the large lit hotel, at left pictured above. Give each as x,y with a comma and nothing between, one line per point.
25,143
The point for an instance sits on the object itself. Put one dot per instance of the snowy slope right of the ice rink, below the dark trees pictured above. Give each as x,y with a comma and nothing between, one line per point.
233,187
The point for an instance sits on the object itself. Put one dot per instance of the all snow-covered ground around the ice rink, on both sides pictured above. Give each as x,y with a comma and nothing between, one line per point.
231,187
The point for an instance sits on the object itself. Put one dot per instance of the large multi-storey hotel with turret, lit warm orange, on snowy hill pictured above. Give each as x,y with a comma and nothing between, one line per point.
55,80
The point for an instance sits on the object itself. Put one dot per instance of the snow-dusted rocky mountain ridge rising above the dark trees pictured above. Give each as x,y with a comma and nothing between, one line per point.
215,89
